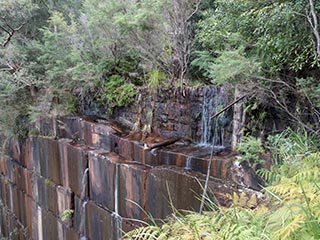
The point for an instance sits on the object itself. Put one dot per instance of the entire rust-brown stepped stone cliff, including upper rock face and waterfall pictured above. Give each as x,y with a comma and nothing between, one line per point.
89,178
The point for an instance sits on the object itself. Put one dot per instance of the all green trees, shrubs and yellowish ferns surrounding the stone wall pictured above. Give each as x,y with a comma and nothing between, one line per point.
58,56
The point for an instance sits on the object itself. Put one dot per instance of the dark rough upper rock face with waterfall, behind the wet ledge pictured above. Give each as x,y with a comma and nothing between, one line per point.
188,116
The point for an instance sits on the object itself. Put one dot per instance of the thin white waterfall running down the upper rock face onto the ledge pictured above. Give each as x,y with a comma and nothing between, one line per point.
212,131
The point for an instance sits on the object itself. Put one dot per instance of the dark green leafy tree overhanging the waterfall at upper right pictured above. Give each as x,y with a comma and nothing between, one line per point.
266,47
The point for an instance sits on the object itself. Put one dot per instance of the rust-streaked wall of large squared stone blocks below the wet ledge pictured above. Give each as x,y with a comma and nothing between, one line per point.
105,179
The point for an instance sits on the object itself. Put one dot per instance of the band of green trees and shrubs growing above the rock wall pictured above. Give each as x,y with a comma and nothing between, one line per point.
57,56
